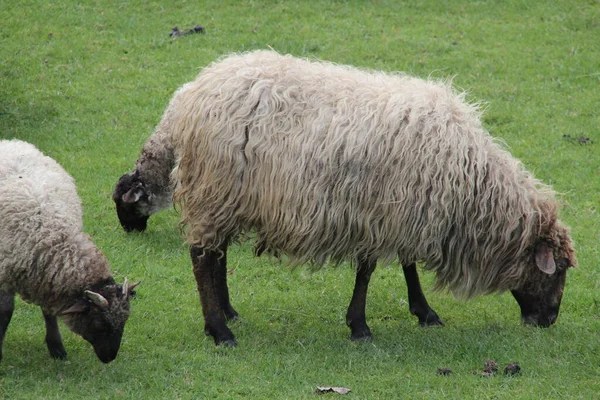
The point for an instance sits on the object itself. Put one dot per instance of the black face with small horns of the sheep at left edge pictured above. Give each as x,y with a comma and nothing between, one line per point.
101,320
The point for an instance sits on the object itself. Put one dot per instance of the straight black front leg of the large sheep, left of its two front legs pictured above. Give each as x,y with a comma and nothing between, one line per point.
355,317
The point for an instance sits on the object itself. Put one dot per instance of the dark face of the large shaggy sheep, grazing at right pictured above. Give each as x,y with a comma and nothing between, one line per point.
541,293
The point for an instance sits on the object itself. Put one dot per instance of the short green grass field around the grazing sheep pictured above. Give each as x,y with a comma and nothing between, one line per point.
87,81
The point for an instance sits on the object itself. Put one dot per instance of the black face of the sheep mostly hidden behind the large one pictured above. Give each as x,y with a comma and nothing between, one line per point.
132,202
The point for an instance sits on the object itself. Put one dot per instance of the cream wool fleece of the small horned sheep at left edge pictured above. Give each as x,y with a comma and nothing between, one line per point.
44,255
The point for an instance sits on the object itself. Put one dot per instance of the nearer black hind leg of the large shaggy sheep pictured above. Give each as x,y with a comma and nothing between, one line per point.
206,264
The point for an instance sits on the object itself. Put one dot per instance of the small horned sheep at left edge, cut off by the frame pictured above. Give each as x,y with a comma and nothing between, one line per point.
47,259
